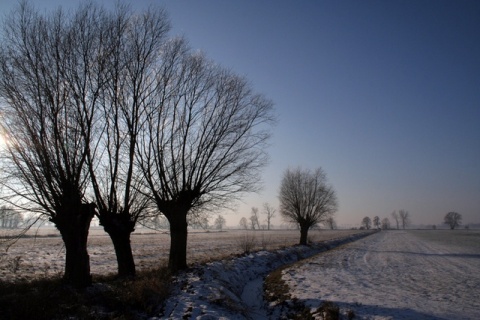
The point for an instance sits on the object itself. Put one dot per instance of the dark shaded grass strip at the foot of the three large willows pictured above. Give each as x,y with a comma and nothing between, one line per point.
108,298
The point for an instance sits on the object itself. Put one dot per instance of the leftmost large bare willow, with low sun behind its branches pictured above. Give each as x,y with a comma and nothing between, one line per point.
47,150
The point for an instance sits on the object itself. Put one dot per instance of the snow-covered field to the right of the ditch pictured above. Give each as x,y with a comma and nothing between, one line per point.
392,275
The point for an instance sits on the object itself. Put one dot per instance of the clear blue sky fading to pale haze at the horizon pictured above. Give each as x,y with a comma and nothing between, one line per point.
383,95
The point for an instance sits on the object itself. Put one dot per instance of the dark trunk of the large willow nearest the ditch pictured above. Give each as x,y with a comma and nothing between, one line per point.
178,242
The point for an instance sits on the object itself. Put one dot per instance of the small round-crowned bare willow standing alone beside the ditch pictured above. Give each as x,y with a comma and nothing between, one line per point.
306,199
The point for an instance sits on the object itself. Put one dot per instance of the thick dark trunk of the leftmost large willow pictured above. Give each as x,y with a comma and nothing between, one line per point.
73,227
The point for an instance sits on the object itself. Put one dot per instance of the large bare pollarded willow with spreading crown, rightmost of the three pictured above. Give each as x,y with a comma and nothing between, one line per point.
203,141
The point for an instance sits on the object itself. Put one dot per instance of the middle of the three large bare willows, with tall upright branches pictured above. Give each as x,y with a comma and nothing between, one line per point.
128,80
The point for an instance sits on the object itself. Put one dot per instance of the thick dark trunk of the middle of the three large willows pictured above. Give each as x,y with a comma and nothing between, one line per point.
119,227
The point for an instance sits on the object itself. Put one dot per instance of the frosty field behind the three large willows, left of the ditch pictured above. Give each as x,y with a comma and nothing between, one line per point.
42,254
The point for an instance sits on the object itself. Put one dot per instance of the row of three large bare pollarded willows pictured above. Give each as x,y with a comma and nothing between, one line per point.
108,116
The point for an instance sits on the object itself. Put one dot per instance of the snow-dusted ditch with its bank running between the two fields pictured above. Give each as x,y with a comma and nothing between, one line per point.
233,289
